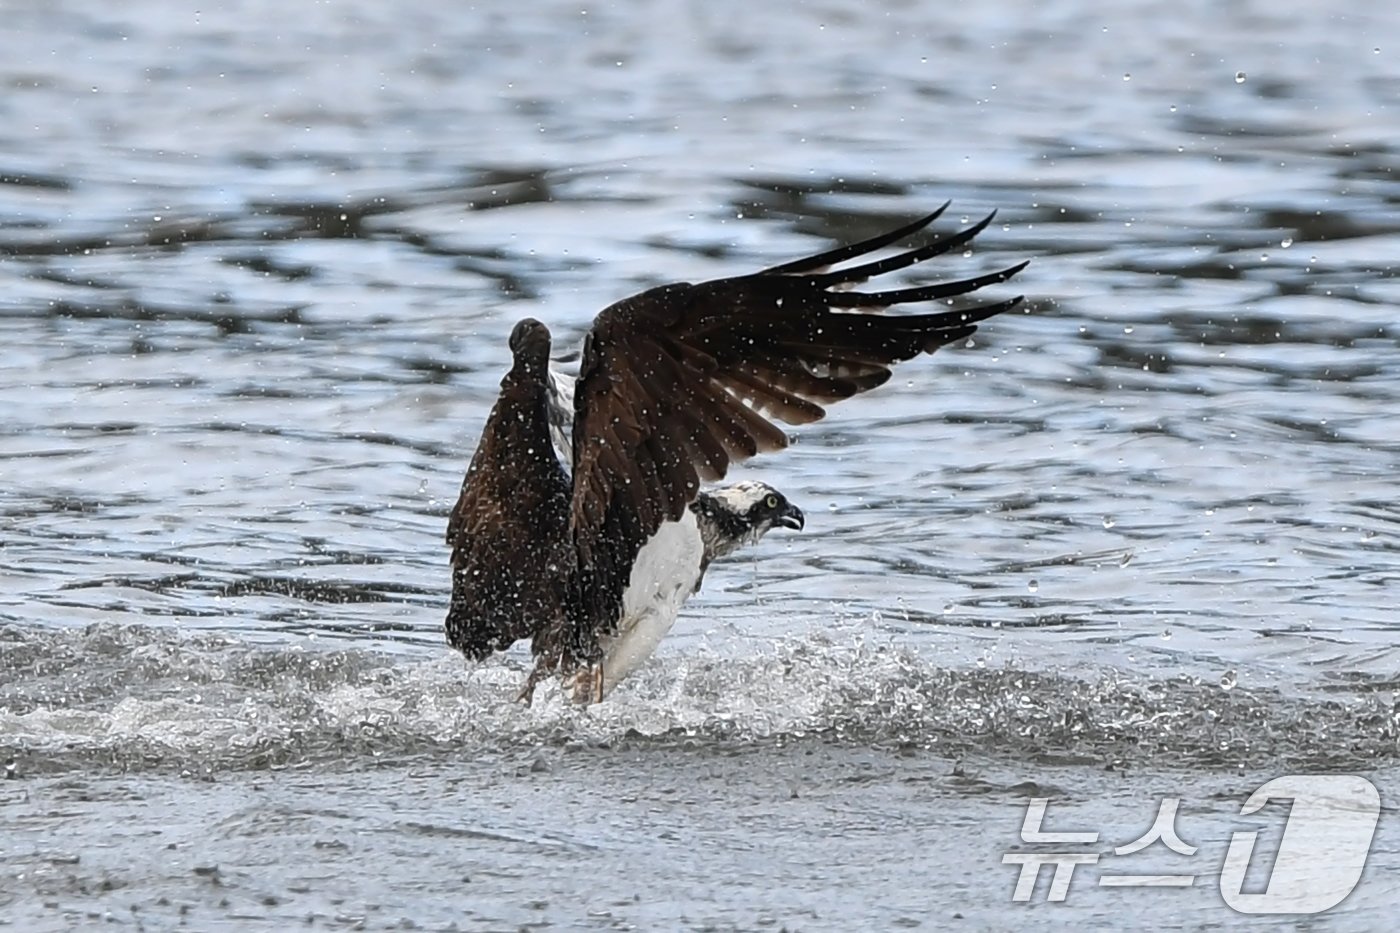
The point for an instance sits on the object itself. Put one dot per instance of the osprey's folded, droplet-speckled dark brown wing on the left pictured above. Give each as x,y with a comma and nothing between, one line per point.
512,560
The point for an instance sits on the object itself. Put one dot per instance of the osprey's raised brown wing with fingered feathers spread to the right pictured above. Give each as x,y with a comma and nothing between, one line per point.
681,382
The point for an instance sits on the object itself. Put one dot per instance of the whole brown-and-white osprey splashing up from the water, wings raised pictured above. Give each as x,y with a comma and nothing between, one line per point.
591,551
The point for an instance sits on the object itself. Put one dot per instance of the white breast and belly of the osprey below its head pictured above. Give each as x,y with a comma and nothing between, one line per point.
663,579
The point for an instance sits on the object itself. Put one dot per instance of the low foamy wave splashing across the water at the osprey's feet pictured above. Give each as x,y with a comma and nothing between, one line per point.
139,698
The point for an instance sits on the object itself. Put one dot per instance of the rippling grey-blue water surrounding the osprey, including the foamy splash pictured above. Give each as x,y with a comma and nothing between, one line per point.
260,263
